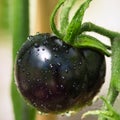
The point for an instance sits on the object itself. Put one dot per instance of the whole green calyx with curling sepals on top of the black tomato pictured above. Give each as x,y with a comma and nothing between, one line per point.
71,31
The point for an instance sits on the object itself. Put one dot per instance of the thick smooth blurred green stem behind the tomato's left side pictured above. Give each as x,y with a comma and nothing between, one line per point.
20,29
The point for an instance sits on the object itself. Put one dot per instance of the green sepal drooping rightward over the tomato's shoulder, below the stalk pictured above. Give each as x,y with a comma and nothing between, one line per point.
87,41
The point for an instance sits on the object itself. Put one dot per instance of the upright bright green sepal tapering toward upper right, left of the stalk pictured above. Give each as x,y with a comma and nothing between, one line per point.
75,24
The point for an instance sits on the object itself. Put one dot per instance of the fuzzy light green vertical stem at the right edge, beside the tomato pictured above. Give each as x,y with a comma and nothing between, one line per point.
114,88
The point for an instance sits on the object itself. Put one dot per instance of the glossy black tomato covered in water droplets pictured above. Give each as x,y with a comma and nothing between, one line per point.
55,77
